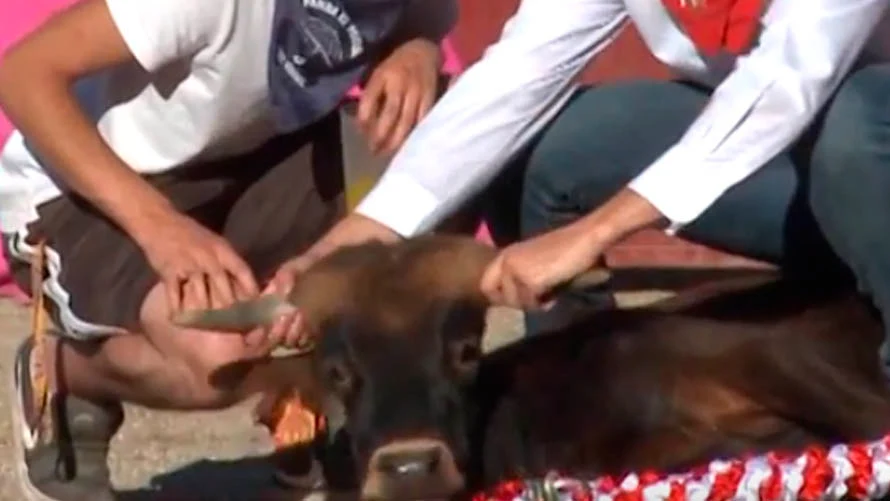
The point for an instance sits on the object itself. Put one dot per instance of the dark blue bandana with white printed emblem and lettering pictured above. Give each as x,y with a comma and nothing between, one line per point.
319,50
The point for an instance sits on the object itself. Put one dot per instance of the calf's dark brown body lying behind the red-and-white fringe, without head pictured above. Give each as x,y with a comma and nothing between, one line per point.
774,366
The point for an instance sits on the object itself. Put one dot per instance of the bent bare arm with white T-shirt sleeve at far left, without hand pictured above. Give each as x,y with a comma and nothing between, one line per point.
37,74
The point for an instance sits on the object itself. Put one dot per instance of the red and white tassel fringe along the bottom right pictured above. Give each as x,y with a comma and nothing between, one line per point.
848,471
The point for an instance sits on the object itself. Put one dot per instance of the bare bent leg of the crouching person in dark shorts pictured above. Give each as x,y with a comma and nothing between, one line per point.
166,367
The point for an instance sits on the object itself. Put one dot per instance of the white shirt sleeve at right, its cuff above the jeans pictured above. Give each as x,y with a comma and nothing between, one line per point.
763,106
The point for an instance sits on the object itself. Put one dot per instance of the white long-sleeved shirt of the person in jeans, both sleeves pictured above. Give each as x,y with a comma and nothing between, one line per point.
761,103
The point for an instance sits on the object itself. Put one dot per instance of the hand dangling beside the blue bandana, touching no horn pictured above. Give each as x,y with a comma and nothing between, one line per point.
400,92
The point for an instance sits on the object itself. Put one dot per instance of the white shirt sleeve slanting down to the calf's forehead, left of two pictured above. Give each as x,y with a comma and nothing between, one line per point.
494,109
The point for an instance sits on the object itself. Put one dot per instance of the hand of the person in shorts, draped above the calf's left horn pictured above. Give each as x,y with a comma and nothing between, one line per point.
199,269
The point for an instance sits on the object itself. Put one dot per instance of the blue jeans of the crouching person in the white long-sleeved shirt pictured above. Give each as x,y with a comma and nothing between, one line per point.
820,209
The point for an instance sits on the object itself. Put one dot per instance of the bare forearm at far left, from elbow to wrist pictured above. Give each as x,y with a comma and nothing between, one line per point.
43,108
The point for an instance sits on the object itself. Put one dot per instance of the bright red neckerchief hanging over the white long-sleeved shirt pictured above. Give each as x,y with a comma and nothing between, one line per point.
718,25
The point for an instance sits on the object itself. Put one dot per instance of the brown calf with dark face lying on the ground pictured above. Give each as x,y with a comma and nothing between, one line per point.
398,365
